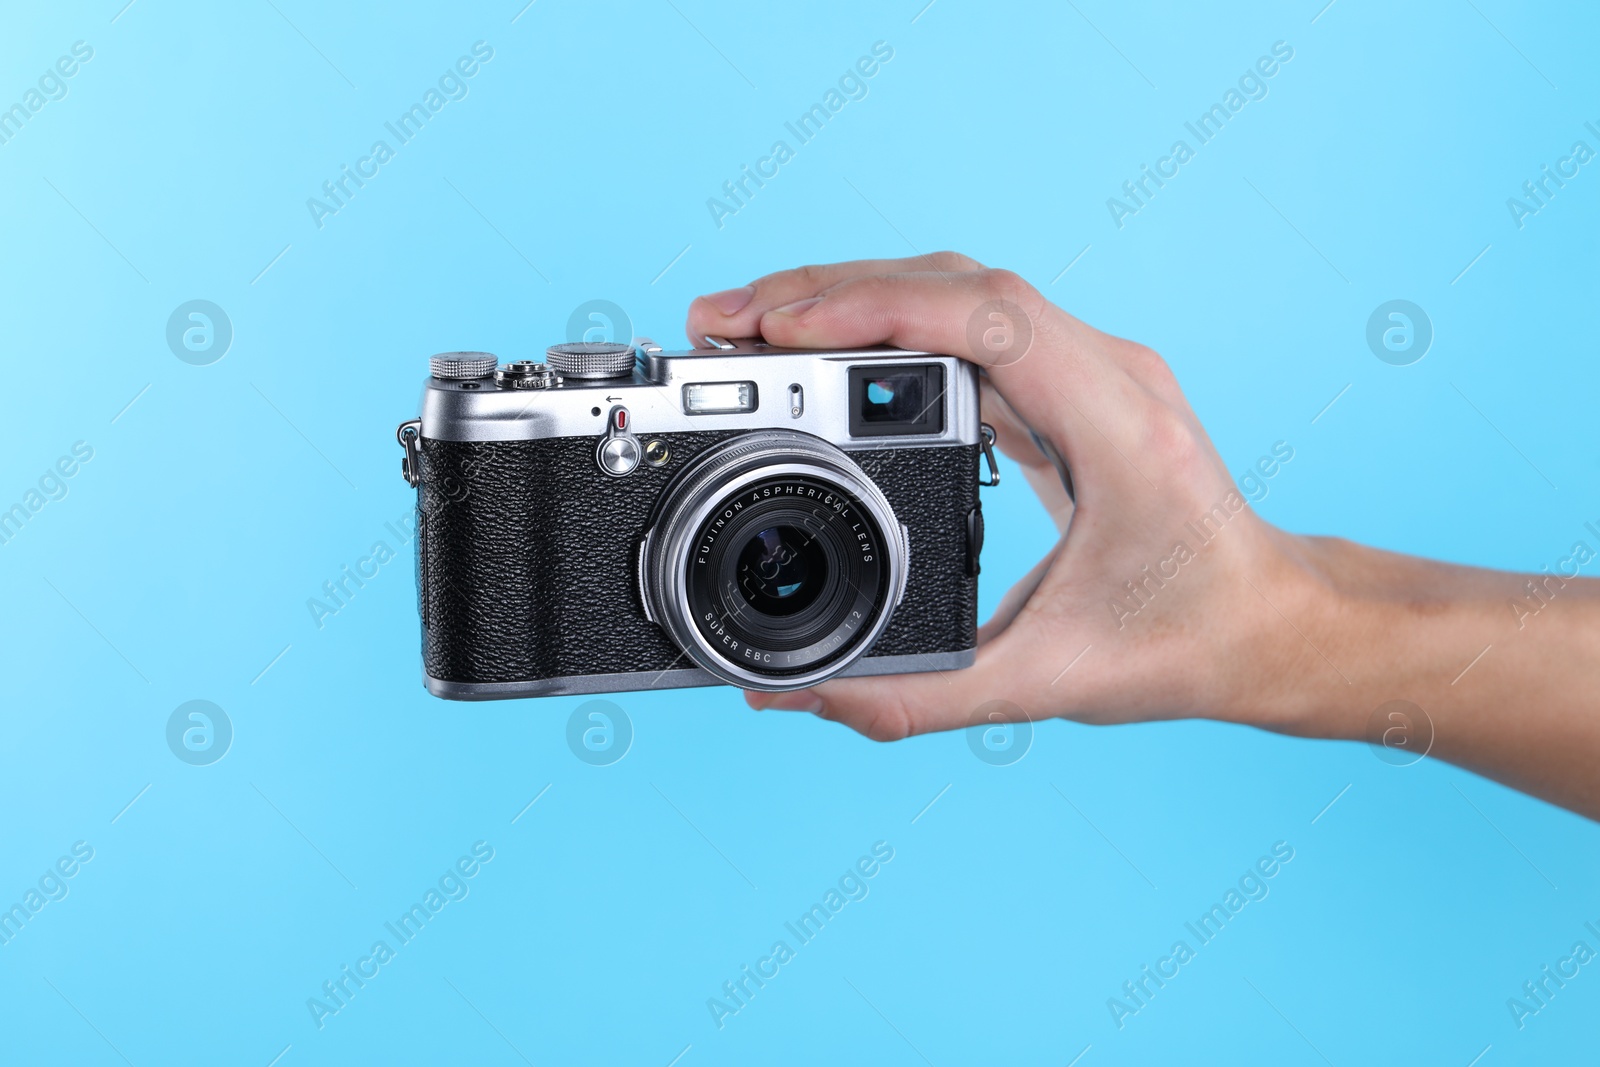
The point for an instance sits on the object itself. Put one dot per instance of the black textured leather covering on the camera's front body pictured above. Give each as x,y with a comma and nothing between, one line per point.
529,556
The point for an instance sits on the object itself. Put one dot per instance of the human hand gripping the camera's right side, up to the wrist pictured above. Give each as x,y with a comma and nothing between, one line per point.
1162,577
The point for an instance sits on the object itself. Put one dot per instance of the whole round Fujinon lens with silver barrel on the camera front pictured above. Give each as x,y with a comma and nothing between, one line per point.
775,561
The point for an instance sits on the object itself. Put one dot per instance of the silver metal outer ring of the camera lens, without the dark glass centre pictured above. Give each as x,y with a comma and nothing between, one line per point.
714,481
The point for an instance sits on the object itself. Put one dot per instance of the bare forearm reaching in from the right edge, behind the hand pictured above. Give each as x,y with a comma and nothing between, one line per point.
1508,673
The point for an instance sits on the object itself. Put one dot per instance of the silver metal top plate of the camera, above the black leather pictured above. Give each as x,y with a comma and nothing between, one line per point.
654,396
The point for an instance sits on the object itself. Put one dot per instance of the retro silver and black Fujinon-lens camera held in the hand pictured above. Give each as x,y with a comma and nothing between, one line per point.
618,518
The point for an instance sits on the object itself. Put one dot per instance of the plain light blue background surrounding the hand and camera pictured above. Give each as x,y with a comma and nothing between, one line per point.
218,503
